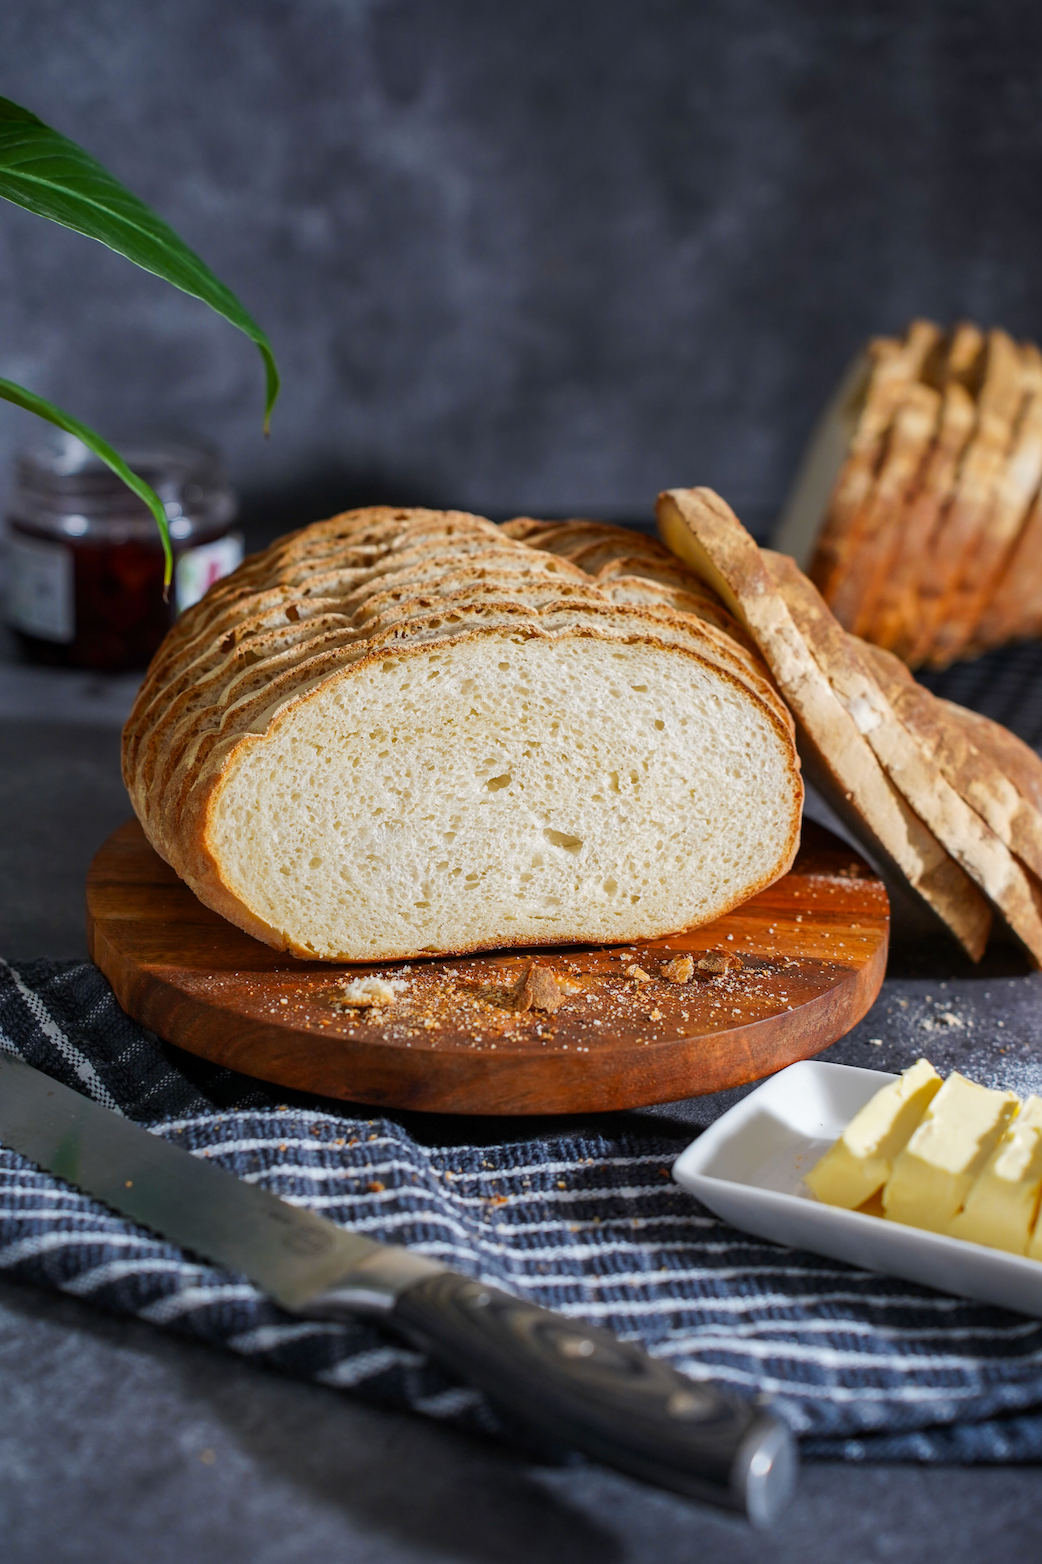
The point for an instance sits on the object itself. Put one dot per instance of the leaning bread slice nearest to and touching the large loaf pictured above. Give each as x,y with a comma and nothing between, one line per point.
706,534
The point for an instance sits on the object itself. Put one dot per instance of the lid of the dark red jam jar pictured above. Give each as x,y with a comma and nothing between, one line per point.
60,476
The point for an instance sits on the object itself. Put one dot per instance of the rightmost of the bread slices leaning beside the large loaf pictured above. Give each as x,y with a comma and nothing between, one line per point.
980,759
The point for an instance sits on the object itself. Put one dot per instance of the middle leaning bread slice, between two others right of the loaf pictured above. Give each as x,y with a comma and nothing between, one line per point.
908,762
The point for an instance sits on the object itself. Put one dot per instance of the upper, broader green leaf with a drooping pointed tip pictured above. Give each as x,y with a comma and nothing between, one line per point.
48,174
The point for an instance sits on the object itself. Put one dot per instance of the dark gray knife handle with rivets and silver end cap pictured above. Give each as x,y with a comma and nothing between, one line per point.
609,1399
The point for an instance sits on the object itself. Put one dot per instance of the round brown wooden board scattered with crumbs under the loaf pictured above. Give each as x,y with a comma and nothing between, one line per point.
813,953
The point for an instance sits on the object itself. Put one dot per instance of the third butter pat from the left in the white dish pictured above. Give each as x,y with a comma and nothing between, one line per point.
1002,1207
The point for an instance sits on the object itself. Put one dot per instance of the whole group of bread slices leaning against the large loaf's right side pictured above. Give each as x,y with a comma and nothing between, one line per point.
946,797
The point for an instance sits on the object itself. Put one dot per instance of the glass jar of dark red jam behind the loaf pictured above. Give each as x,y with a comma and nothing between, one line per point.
84,554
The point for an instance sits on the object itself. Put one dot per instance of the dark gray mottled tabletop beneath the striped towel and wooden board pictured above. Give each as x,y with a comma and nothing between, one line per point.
121,1443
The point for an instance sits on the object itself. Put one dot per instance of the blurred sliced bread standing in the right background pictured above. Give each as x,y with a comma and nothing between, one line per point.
919,512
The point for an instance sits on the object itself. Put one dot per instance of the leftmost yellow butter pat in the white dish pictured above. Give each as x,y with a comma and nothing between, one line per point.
861,1160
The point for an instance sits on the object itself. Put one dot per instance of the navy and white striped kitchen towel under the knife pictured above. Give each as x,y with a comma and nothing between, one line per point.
861,1366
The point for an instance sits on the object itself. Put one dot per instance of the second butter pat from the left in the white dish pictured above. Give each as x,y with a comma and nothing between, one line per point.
935,1172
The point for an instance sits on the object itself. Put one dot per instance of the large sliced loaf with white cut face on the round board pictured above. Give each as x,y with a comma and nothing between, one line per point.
403,733
